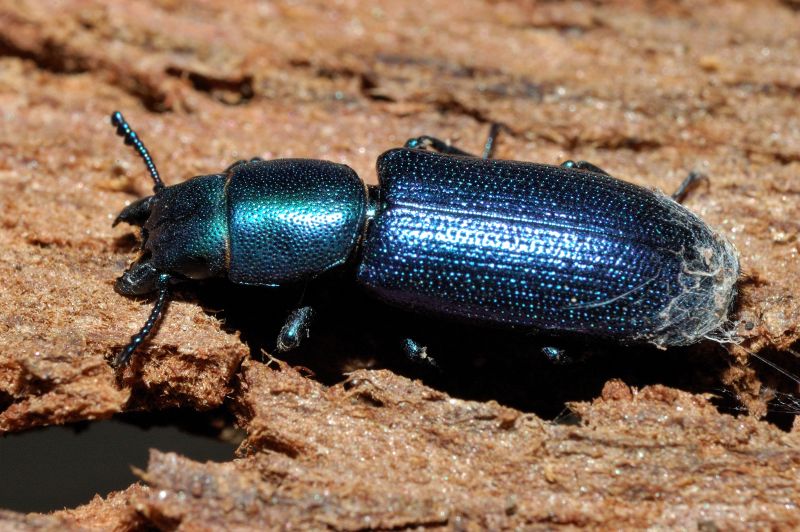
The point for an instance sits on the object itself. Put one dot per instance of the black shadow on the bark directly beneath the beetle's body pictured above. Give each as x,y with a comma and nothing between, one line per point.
352,330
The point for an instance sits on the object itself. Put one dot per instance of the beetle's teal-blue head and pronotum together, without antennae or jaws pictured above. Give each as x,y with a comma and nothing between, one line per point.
262,223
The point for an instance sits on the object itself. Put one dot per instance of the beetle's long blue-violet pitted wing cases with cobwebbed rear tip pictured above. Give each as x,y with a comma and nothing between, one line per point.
532,246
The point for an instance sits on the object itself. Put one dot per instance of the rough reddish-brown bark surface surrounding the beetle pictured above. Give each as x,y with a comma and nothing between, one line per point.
646,90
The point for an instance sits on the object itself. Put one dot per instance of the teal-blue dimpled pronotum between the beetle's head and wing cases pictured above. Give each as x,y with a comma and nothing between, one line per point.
292,219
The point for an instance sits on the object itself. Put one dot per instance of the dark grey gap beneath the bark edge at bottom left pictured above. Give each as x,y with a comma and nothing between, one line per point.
56,467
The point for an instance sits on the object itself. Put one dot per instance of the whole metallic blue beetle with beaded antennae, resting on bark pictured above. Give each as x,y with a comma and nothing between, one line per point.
527,246
